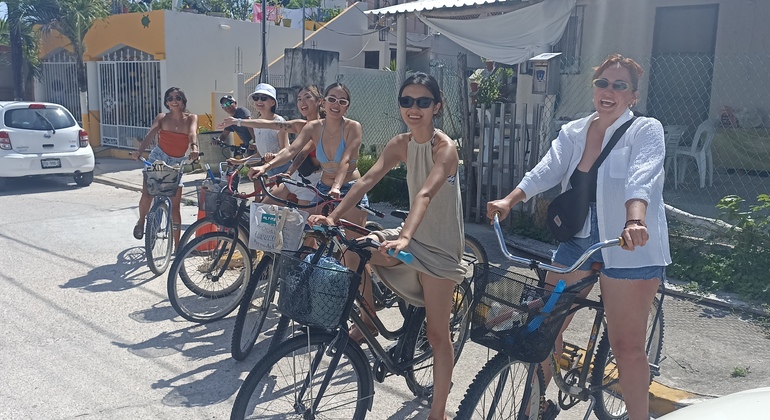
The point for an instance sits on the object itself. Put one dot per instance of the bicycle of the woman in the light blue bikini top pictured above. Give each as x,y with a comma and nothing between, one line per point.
263,283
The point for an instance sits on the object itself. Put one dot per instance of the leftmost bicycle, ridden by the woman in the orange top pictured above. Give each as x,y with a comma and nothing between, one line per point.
162,183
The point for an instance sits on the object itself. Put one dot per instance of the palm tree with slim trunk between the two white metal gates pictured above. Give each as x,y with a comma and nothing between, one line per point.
72,19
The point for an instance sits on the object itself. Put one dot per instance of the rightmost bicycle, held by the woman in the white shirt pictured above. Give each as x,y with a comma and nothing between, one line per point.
527,317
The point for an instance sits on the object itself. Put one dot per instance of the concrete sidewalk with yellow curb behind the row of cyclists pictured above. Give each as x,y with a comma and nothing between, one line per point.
703,342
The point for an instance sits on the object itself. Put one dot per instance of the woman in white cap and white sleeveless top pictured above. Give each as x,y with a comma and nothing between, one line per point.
266,140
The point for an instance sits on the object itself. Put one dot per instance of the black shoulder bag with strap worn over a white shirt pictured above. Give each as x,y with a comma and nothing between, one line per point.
568,211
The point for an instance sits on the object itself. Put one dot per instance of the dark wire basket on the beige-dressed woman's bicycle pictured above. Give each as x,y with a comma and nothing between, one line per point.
315,295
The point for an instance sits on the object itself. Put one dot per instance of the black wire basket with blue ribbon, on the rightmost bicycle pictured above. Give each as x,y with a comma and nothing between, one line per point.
508,314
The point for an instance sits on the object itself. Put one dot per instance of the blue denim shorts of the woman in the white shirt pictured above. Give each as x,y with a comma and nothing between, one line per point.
568,252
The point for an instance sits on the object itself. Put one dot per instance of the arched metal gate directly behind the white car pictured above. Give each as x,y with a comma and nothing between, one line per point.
60,82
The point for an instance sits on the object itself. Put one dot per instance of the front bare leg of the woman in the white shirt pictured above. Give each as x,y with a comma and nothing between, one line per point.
627,304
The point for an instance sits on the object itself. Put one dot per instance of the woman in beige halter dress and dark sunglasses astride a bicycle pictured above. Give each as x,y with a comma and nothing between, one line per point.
433,232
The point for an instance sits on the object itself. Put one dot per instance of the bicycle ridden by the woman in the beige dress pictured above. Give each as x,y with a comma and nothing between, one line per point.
322,370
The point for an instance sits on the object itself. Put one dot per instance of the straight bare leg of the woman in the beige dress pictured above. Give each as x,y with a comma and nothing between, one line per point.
438,307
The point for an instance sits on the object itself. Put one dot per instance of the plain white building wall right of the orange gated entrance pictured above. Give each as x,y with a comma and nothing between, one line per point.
201,56
